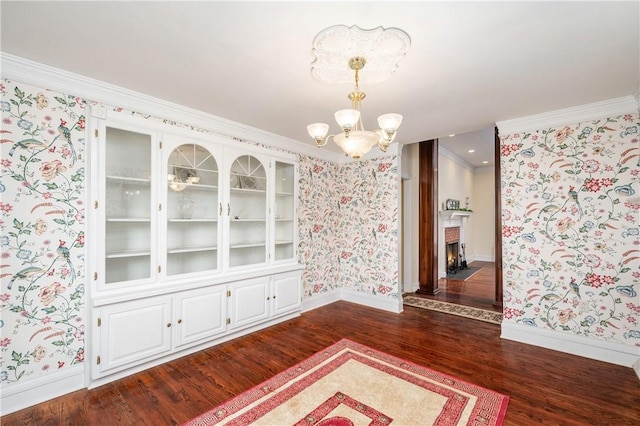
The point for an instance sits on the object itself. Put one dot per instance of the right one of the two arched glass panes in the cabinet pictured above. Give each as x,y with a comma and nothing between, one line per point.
247,212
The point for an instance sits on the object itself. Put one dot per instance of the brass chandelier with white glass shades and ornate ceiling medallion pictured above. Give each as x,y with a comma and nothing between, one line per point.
385,47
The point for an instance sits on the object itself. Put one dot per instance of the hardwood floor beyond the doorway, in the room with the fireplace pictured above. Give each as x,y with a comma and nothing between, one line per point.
477,291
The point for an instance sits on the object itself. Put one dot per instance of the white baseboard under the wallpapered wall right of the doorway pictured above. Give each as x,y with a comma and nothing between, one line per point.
614,353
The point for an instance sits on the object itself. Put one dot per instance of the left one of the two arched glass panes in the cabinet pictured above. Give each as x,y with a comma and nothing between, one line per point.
192,210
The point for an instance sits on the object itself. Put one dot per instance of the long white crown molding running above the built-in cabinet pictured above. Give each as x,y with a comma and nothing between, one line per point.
37,74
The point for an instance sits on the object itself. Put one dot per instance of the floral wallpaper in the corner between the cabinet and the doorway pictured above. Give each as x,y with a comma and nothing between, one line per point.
348,226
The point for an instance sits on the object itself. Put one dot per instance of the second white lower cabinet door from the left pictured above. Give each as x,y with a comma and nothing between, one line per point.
200,314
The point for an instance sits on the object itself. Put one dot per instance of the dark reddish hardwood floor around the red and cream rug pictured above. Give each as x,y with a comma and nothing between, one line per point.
545,387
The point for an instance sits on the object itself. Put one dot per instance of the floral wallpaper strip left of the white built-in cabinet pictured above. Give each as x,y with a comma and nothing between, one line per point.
41,231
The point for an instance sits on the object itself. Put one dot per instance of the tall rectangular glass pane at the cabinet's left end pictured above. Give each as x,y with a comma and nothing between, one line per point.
128,197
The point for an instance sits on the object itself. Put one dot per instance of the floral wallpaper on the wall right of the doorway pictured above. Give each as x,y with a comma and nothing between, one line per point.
571,229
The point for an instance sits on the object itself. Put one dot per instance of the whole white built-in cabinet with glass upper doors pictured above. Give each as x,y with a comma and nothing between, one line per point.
193,240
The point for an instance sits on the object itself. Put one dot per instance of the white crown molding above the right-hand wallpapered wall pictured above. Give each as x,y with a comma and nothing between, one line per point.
561,117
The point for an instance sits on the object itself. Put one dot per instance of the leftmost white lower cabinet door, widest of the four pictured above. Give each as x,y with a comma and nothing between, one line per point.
132,333
